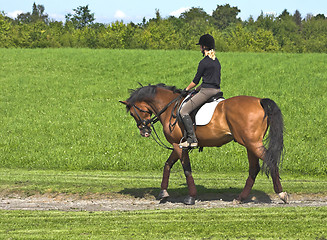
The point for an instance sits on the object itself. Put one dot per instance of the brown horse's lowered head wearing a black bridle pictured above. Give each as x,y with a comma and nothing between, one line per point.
142,115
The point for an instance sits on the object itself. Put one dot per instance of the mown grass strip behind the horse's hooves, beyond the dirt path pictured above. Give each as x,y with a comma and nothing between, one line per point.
145,184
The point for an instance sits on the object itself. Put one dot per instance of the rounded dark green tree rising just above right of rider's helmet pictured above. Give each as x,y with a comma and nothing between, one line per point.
225,15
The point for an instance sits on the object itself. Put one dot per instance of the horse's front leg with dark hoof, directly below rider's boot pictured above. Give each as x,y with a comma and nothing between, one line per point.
185,160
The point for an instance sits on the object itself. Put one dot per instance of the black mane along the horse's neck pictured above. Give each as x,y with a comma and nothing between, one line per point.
148,92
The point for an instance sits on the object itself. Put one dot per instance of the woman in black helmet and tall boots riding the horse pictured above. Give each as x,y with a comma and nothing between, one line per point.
209,69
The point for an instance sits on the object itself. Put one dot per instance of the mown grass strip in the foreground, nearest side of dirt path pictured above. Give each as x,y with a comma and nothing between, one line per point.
230,223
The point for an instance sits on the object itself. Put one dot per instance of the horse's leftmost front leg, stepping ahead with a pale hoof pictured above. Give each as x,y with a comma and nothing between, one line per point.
174,156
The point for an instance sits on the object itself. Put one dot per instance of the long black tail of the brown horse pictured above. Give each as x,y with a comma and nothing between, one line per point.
274,141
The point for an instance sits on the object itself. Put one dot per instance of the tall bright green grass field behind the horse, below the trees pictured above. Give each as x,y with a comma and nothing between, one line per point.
60,109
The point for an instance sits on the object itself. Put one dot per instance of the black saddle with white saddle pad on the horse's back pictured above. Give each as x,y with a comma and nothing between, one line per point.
202,115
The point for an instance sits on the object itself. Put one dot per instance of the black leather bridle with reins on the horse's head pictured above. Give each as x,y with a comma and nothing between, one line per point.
142,124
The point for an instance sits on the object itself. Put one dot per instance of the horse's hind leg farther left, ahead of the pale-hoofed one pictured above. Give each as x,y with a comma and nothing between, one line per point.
254,169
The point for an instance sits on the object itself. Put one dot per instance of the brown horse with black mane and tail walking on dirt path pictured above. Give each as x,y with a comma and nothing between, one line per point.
243,119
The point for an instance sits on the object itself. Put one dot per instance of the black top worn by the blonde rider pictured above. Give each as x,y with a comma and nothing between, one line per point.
209,70
